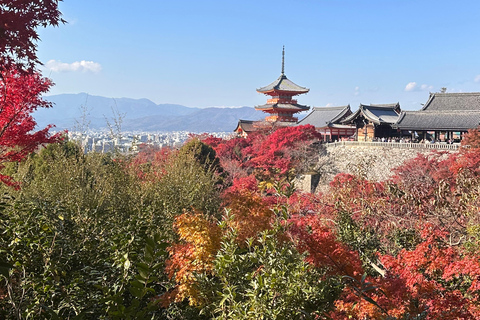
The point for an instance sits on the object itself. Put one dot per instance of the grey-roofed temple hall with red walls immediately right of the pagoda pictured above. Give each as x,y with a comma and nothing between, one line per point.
327,121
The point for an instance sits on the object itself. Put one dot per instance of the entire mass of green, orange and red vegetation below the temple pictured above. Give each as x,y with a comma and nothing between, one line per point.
172,234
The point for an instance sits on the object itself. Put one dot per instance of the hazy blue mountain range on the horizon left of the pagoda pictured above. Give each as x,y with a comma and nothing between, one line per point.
139,114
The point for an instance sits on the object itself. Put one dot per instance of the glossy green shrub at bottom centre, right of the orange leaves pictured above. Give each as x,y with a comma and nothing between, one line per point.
268,279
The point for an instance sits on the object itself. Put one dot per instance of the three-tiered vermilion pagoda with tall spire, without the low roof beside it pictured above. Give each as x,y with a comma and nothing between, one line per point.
281,107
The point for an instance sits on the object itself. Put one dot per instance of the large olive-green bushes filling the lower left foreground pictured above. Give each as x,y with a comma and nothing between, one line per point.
71,232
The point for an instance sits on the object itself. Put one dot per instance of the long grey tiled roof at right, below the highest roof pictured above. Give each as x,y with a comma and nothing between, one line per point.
445,120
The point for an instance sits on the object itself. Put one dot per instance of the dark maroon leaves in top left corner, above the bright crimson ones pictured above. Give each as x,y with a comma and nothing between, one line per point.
19,20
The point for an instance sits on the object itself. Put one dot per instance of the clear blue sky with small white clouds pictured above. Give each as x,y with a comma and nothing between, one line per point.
216,53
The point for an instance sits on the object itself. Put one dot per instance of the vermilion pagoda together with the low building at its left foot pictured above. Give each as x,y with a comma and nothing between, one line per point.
280,108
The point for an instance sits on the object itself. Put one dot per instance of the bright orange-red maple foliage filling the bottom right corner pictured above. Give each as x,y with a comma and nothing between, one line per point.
434,278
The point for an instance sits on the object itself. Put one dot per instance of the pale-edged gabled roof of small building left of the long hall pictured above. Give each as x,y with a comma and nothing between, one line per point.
376,113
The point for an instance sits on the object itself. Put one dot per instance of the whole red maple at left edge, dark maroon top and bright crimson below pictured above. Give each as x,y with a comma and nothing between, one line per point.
21,87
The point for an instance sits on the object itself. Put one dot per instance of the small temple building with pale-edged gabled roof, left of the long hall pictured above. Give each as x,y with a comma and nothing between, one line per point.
374,121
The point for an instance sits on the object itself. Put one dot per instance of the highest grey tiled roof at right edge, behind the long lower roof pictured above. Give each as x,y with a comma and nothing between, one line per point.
453,101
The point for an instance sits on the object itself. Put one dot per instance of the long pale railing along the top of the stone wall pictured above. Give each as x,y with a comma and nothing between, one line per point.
399,145
